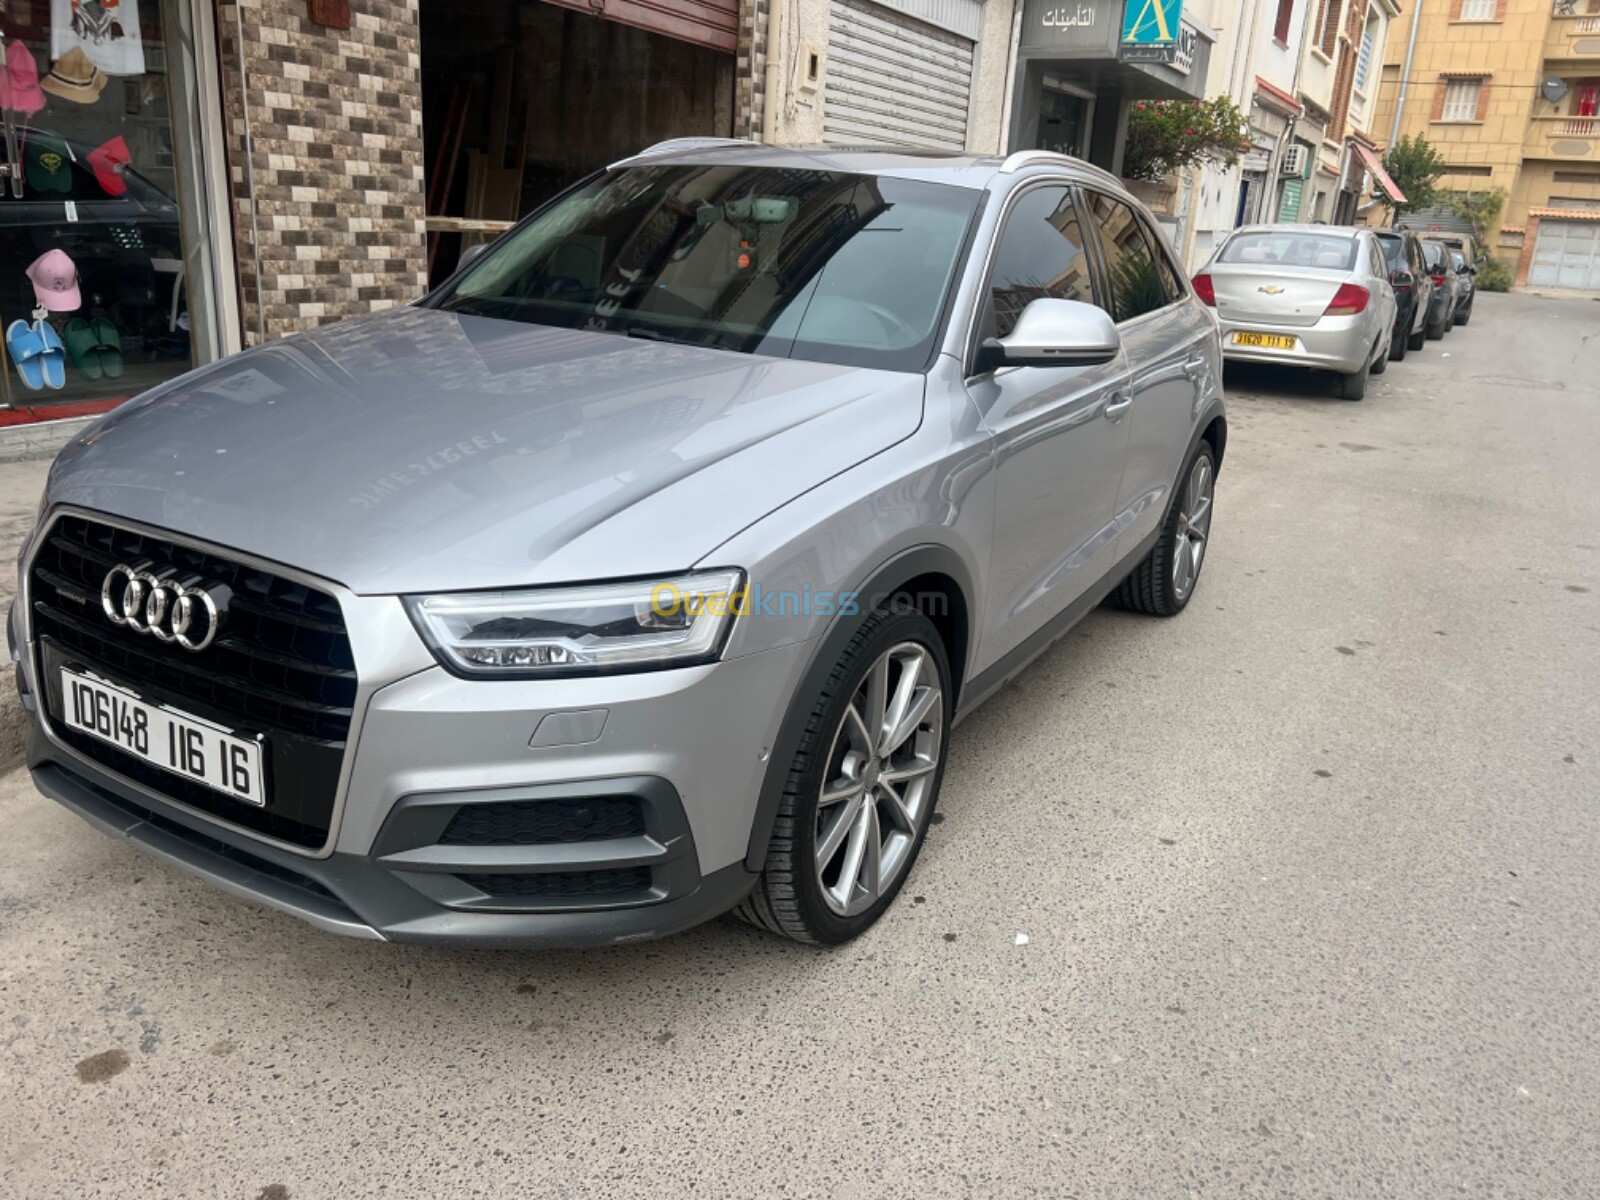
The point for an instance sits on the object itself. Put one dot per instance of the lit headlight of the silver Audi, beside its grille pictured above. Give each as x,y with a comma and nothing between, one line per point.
582,631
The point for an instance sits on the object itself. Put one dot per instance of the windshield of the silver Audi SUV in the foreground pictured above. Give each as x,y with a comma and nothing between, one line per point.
791,263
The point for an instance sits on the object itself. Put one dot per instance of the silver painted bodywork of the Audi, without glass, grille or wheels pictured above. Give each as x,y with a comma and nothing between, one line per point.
422,450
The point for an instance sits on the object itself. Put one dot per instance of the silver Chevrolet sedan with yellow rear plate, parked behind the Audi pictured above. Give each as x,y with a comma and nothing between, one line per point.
1305,297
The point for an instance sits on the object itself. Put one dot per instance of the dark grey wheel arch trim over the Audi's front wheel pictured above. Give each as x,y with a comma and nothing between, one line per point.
881,585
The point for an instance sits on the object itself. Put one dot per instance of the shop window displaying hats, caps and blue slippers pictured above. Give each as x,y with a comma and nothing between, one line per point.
114,274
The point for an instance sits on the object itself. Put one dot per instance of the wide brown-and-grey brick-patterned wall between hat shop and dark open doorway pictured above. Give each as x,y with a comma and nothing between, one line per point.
326,164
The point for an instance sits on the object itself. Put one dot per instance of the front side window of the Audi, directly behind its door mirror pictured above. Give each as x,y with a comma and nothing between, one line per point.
1041,254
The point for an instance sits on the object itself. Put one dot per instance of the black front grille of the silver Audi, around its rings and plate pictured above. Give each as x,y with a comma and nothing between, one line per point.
281,666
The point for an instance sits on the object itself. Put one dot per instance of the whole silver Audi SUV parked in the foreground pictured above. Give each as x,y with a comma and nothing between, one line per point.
638,574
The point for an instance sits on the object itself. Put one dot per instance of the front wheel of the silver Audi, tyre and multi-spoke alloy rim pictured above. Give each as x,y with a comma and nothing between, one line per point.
863,785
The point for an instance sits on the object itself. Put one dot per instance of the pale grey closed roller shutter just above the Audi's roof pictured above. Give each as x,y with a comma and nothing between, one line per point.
894,79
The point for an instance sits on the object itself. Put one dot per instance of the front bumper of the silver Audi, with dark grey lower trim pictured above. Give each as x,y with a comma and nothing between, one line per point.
686,751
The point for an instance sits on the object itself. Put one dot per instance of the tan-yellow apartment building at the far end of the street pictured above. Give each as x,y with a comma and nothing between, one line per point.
1510,94
